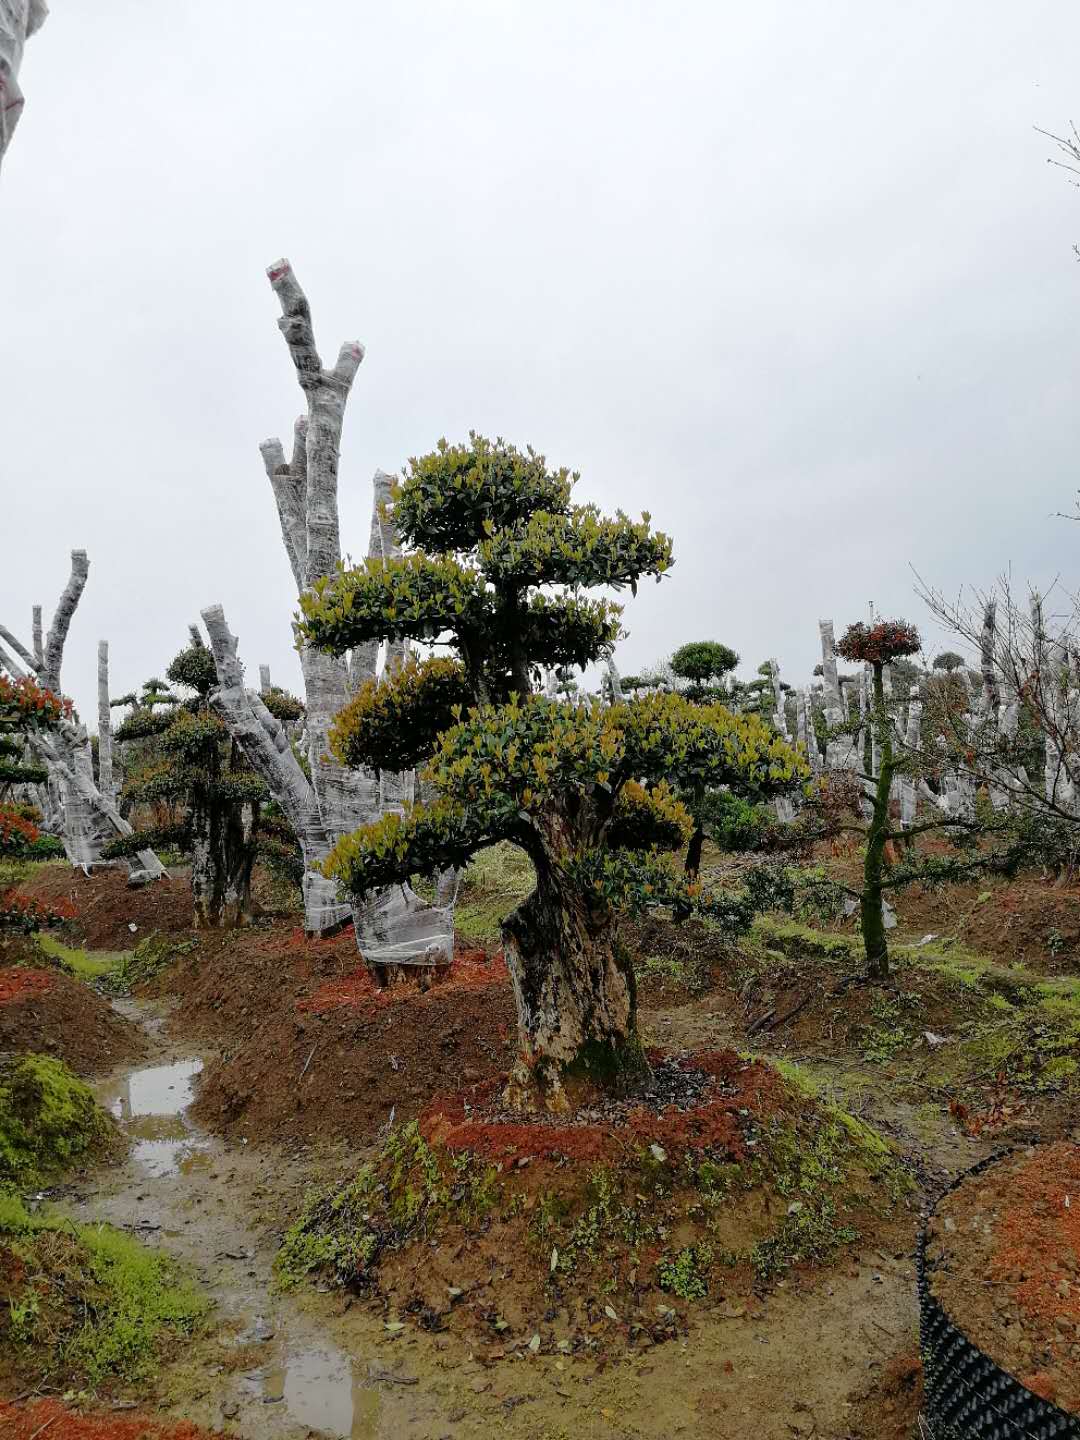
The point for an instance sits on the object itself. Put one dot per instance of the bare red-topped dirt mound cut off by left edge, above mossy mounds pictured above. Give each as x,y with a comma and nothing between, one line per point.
48,1013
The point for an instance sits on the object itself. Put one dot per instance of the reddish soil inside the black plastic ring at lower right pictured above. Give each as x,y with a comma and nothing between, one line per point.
1004,1262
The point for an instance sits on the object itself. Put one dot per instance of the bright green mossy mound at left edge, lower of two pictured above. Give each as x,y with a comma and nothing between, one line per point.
86,1305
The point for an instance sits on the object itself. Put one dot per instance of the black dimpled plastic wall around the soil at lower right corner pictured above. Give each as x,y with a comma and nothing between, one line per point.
968,1396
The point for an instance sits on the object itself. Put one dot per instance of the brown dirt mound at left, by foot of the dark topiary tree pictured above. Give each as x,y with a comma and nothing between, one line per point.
106,906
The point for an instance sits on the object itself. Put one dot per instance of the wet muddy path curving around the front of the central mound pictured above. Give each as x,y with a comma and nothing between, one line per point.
309,1364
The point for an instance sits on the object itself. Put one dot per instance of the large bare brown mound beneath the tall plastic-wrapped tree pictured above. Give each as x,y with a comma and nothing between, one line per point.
312,1050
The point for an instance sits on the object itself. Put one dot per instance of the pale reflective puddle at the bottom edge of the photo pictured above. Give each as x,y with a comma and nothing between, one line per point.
320,1389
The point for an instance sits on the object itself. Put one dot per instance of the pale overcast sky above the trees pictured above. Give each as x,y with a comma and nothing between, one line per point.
796,277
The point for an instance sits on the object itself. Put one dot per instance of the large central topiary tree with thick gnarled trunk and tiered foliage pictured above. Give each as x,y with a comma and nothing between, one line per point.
585,790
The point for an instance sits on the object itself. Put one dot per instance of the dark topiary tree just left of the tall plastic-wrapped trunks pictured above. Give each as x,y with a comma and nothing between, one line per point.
191,768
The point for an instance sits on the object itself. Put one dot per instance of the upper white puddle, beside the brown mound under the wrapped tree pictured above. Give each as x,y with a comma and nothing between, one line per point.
149,1105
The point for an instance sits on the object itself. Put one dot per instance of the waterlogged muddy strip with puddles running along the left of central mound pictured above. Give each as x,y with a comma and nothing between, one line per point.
277,1372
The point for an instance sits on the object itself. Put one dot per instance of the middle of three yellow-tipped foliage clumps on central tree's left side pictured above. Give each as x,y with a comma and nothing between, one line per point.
394,726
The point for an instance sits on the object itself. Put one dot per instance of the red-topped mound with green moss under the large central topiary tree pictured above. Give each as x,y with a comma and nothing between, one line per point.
600,1229
